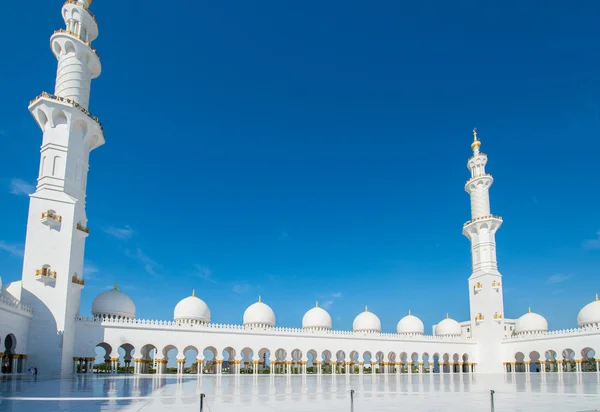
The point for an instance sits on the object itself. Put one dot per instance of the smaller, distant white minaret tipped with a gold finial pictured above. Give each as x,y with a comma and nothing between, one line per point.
485,283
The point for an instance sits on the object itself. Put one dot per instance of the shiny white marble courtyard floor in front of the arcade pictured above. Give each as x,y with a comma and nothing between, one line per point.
575,392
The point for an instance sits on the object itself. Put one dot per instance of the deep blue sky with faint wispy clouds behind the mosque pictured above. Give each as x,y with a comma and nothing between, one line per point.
317,151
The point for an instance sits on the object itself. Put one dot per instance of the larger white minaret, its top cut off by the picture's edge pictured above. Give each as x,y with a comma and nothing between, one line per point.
57,222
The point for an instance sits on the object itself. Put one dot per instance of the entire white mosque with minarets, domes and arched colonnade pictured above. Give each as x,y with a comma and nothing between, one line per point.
41,324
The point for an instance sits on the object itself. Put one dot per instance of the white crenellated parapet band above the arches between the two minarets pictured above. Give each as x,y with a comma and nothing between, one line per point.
166,324
